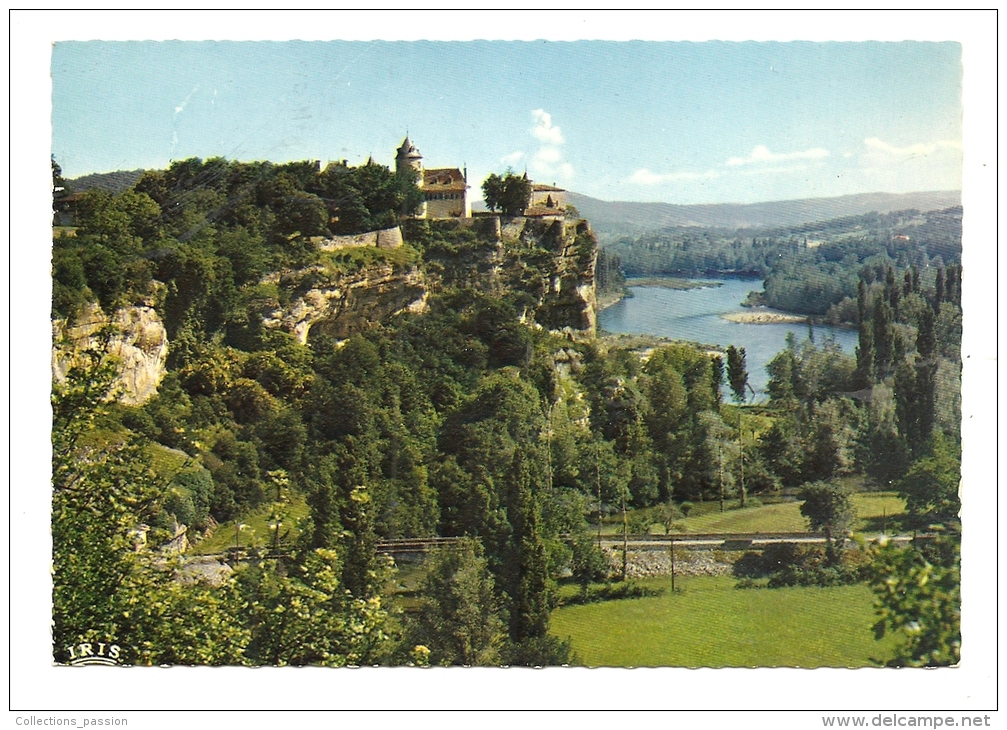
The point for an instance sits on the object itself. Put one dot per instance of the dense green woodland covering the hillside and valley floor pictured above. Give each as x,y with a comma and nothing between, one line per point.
465,421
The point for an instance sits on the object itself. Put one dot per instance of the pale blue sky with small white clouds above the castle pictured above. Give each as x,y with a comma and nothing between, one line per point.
673,122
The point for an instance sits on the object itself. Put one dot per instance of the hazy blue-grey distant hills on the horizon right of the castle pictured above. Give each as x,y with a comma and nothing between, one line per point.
612,220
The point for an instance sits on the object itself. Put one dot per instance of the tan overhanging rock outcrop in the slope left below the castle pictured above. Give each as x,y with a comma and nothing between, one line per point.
348,304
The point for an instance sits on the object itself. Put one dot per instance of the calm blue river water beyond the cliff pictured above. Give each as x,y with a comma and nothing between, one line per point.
694,316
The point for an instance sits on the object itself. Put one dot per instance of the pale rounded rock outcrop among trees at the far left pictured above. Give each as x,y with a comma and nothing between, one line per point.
137,341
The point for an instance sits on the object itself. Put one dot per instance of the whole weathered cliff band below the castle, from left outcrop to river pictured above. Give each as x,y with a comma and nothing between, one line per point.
562,285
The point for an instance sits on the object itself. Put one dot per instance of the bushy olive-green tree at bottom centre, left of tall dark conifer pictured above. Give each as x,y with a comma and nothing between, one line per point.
460,616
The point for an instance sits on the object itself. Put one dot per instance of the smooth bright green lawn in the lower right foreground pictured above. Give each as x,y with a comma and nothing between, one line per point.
711,624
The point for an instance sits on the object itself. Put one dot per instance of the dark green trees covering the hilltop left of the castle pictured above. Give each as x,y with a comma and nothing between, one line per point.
209,229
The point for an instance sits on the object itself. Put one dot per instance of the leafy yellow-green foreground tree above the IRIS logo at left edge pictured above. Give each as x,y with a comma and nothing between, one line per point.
106,586
